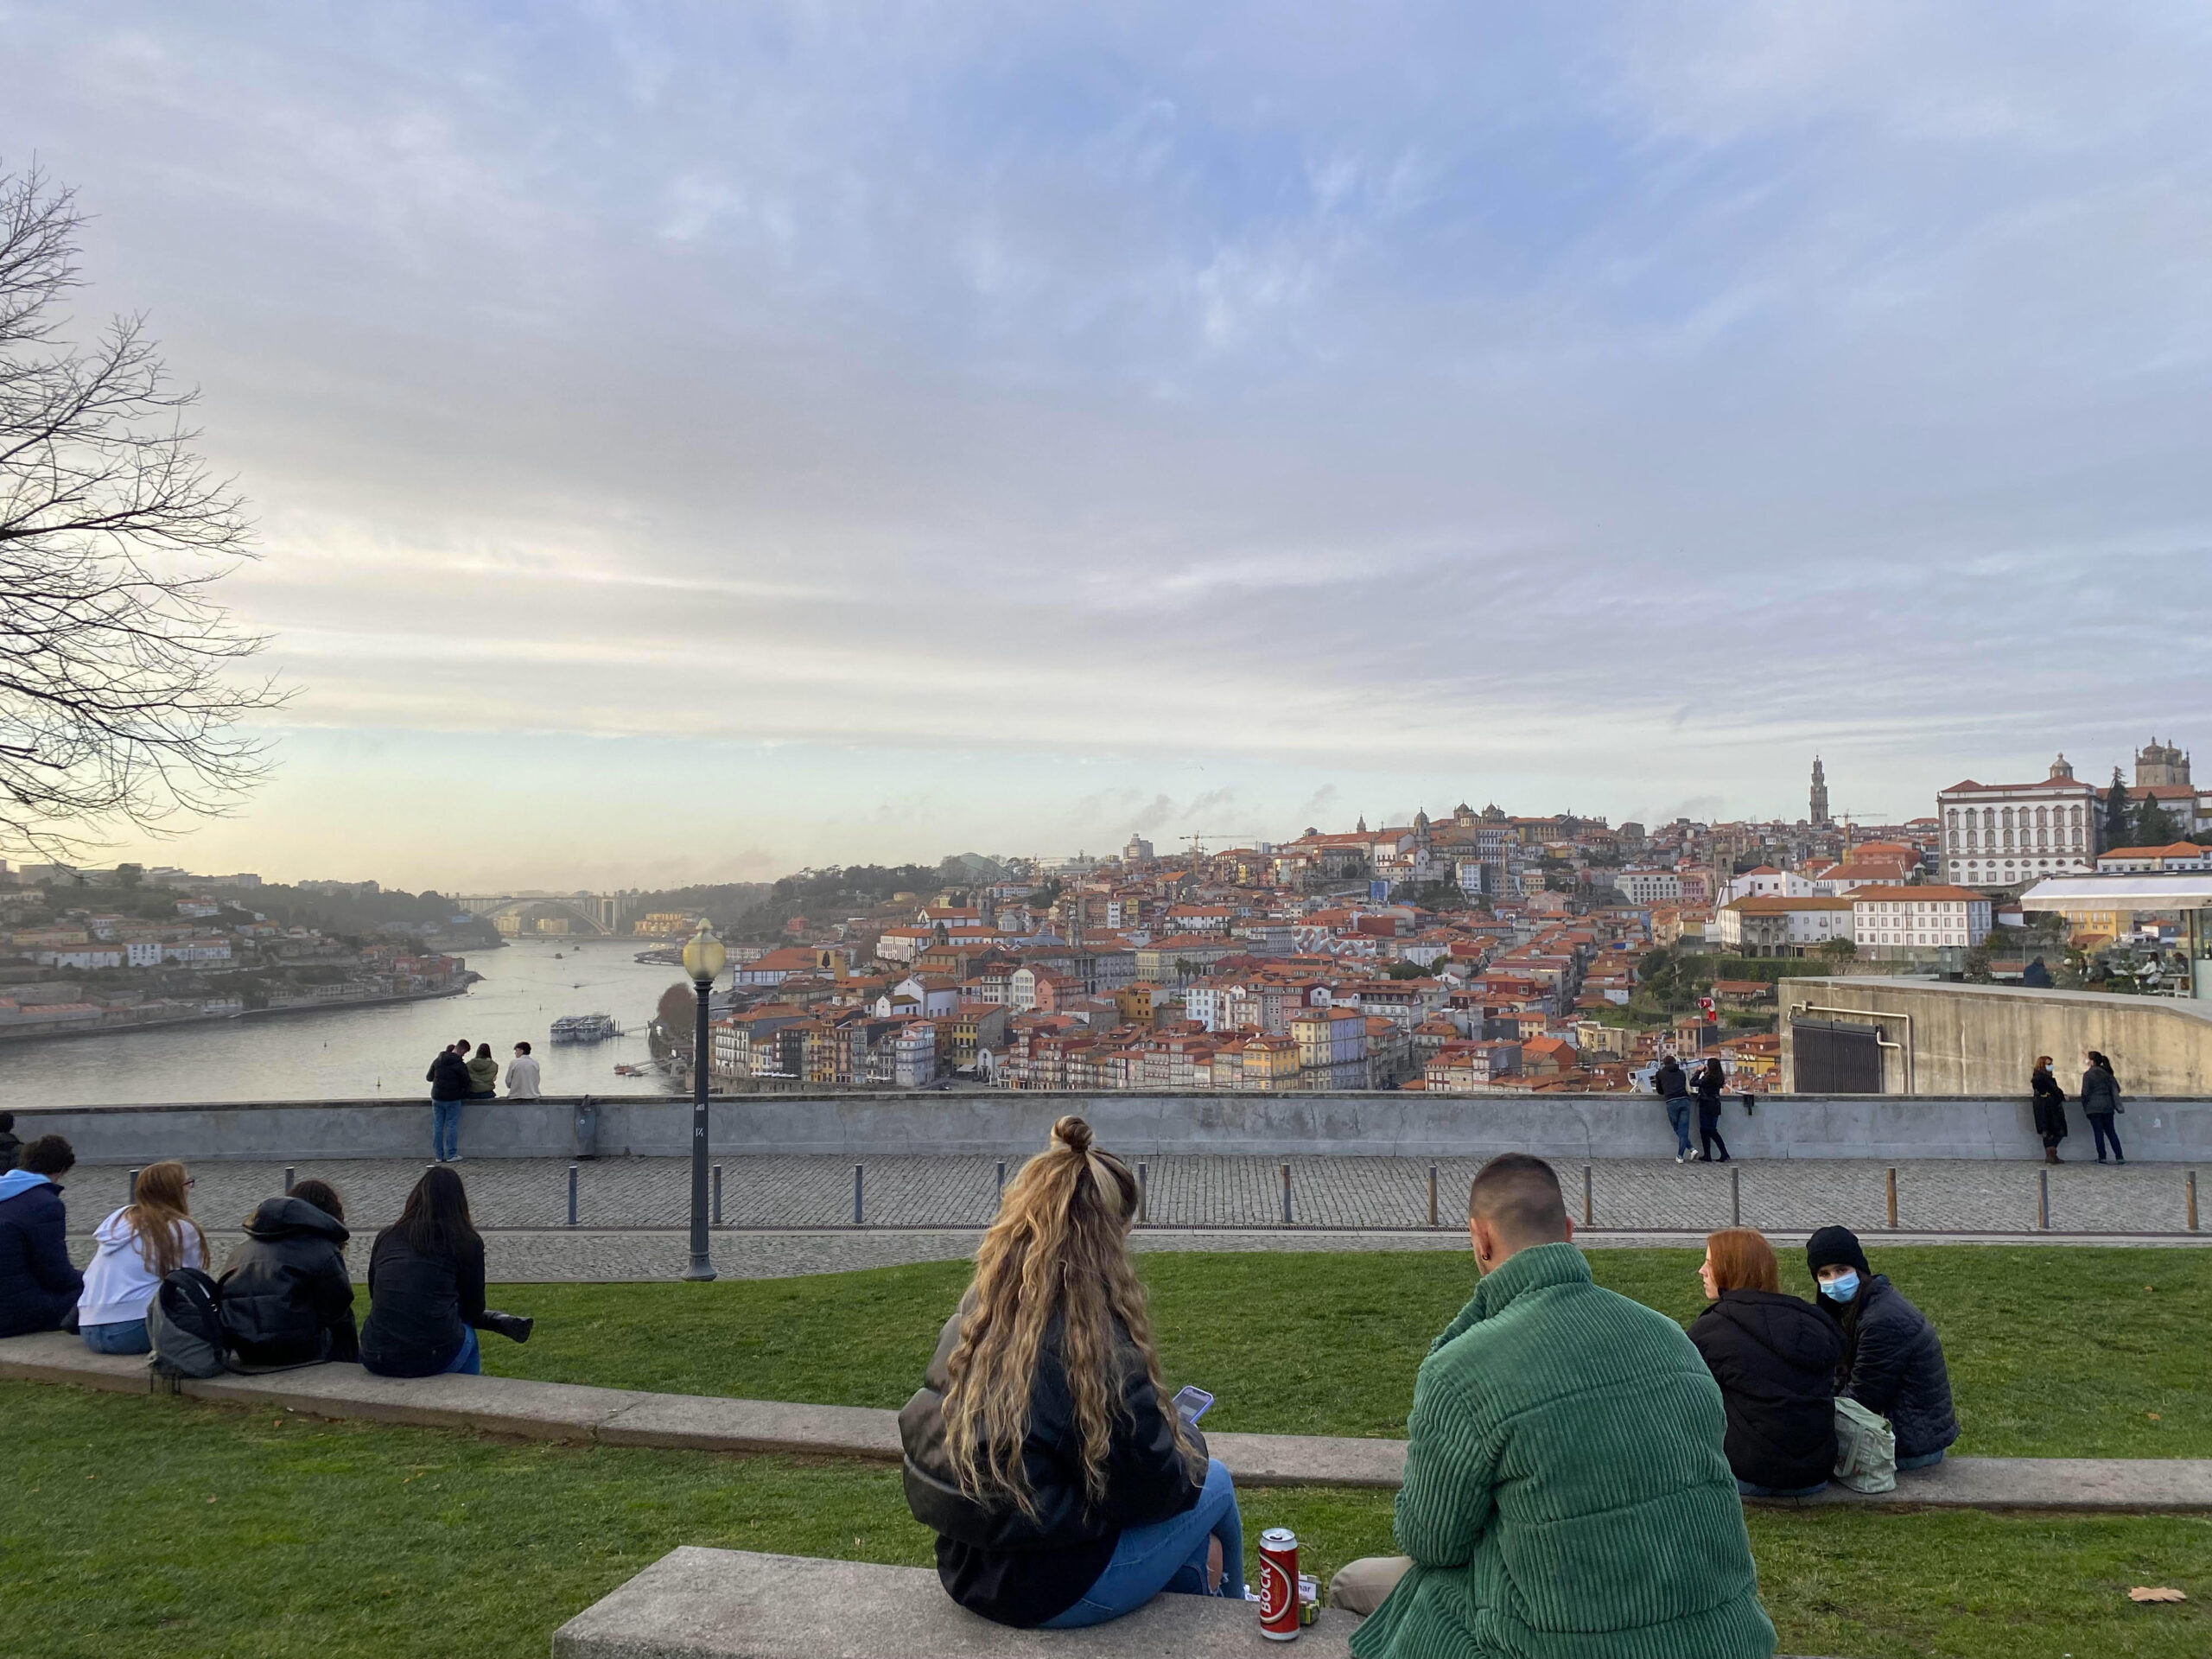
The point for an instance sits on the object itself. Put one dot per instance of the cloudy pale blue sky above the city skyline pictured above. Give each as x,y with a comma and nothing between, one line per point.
691,444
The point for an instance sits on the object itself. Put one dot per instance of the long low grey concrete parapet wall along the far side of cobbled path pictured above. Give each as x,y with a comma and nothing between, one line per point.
1014,1125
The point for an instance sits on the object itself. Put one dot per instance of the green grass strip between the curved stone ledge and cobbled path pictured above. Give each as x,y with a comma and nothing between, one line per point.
2054,1350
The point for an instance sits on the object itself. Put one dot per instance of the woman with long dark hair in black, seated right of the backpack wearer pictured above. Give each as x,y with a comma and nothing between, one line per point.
428,1286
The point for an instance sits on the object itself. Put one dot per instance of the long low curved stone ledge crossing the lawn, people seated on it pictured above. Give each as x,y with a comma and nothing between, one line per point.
711,1423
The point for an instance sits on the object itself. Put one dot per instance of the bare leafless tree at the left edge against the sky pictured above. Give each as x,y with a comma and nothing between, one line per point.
116,693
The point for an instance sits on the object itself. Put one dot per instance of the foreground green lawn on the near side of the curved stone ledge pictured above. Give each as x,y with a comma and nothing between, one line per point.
138,1525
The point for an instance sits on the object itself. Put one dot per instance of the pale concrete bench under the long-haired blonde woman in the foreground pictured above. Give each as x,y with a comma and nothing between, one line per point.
740,1605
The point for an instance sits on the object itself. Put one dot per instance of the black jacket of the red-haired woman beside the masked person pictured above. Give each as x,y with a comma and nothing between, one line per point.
1775,1359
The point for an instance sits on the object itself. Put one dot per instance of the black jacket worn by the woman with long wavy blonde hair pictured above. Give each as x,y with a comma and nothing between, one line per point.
997,1561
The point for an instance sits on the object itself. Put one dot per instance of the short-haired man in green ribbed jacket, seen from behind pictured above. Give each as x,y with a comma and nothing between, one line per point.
1565,1485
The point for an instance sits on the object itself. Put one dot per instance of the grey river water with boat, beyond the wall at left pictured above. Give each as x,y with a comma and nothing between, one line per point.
362,1054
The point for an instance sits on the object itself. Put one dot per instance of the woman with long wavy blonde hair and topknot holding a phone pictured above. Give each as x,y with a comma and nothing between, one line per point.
1063,1488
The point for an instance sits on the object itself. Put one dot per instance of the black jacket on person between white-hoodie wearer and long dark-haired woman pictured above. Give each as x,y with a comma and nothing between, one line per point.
286,1293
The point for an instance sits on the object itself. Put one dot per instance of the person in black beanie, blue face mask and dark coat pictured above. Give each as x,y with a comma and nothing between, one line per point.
1892,1359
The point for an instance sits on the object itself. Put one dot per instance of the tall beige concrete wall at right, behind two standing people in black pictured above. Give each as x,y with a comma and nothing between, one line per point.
1983,1039
